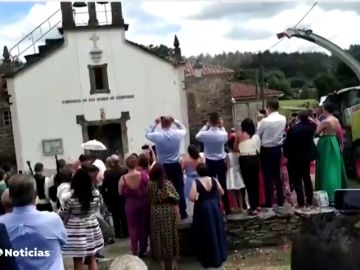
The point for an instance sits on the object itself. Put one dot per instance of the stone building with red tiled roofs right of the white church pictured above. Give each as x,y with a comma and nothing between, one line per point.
211,89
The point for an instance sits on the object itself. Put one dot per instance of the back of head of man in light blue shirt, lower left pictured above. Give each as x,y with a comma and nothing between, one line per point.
22,190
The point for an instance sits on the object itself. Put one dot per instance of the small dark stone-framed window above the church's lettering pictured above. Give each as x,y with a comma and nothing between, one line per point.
98,79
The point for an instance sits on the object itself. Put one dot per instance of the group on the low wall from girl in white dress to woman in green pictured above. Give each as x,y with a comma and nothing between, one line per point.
273,160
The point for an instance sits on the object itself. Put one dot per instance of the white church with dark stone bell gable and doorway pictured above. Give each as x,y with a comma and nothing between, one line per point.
92,83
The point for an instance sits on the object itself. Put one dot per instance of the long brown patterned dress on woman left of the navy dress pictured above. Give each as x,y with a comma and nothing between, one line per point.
164,240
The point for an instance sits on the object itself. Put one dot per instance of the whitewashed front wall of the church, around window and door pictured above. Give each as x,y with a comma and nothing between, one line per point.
38,92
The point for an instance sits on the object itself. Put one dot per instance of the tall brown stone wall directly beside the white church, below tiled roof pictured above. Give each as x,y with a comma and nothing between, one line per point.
208,94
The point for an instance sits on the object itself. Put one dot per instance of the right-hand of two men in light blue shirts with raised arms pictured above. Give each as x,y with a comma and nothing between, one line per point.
214,136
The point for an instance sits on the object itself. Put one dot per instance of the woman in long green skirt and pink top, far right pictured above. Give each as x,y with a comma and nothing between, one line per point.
330,169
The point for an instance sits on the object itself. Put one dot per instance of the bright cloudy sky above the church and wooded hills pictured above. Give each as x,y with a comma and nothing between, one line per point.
207,26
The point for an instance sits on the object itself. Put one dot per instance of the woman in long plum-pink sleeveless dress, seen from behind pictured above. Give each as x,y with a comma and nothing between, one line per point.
133,186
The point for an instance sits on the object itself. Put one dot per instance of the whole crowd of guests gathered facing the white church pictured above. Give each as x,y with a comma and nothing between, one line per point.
249,169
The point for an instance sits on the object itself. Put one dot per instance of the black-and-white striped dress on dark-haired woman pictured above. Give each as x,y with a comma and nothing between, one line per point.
83,230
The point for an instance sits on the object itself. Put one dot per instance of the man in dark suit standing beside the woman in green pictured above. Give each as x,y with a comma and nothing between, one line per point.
300,149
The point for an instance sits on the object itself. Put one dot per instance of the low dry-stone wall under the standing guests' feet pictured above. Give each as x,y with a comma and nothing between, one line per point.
266,229
